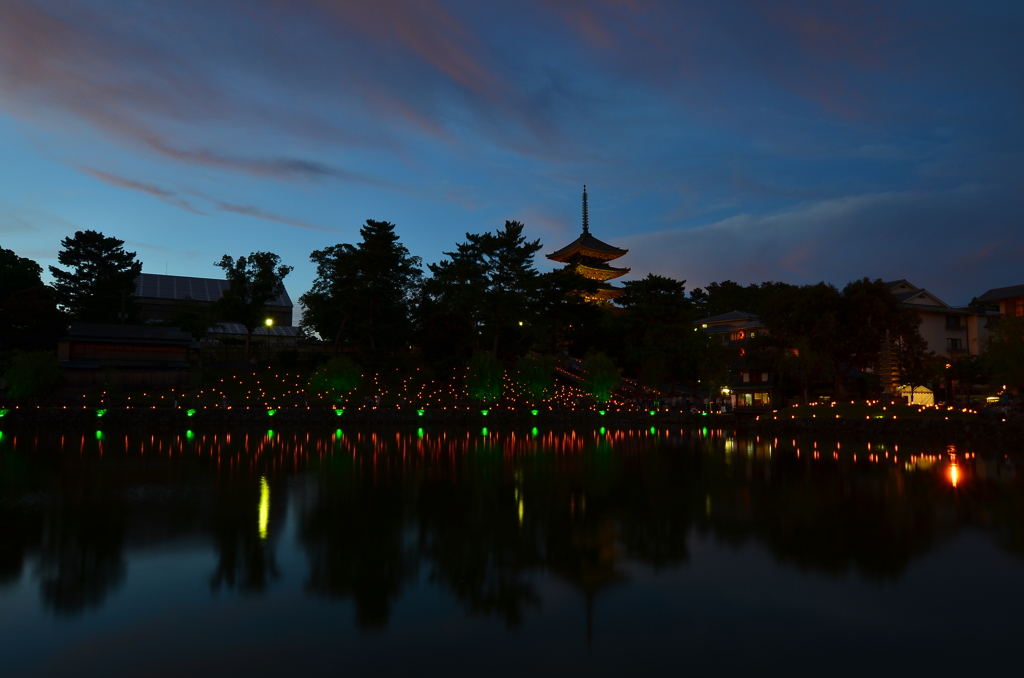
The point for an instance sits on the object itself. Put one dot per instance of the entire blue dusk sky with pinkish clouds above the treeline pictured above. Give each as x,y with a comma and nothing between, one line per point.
737,140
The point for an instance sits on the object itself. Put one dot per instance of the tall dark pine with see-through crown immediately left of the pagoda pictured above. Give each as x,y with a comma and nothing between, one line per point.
491,281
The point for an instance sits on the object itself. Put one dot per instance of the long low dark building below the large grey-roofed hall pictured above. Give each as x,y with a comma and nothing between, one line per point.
126,356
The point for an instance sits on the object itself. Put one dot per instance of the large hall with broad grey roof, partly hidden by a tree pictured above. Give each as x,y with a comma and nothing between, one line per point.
161,296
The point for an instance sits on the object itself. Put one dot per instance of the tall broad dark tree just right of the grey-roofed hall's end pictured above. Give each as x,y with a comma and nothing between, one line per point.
364,292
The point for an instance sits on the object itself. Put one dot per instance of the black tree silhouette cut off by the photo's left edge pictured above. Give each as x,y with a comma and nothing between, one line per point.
29,315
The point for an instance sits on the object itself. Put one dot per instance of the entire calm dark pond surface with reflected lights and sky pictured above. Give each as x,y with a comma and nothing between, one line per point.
505,554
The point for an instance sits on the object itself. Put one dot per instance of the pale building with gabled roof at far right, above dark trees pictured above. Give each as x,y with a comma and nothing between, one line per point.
949,331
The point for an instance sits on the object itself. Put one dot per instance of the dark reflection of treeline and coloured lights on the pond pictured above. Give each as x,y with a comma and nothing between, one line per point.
481,516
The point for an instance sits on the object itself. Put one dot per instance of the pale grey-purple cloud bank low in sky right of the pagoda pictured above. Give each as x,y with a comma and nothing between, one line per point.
956,244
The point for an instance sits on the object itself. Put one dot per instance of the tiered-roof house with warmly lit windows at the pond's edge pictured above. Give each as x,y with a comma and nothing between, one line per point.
749,390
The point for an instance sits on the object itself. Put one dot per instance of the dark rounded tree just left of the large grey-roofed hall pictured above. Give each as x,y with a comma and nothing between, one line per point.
102,281
